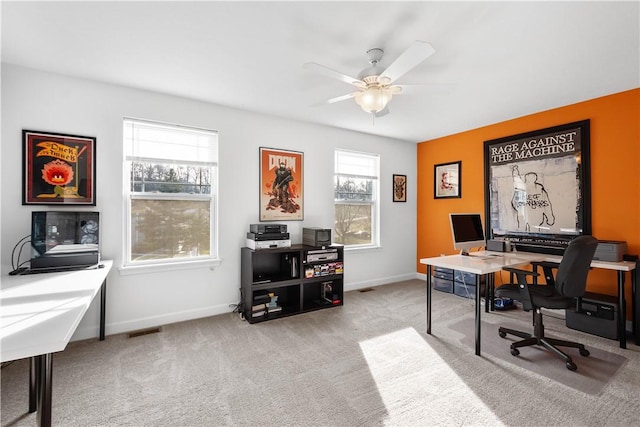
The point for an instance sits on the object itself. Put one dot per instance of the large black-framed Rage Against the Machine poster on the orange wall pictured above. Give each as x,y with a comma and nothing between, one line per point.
538,183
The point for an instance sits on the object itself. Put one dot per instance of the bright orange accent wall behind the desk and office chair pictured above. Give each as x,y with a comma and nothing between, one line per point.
615,176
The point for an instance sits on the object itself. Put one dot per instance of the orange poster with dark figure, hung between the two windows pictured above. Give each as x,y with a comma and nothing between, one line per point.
281,185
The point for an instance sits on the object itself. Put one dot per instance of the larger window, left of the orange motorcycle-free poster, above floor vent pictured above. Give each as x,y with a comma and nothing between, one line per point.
171,188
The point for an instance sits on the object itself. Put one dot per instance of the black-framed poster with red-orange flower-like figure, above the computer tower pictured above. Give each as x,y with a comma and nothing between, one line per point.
58,169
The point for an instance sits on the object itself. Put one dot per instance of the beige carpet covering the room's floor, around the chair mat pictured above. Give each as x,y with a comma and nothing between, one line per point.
368,363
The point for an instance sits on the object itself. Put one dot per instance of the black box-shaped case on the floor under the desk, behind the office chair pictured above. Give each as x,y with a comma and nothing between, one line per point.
596,314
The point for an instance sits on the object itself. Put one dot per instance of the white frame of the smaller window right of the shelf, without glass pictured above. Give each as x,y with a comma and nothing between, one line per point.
374,203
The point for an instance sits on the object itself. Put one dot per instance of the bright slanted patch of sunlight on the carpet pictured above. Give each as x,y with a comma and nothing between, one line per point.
412,378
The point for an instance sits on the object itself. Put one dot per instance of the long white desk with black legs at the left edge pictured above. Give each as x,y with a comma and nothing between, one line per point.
40,313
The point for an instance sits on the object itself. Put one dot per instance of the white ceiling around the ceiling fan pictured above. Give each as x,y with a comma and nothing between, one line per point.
494,61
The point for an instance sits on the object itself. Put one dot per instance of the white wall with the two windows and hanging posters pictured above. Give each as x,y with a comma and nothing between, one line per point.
46,102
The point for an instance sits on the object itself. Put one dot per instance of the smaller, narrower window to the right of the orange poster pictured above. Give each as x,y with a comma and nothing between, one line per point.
356,199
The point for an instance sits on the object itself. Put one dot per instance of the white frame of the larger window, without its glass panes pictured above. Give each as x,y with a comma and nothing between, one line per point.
130,155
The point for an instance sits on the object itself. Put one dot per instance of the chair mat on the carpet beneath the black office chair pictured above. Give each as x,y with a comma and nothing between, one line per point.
593,374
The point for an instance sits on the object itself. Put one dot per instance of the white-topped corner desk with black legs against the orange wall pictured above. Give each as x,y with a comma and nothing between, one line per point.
485,264
